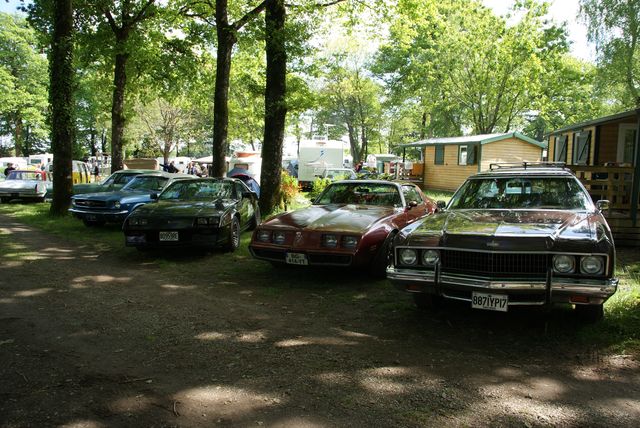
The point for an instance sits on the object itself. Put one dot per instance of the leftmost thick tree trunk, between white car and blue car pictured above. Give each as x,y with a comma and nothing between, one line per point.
61,74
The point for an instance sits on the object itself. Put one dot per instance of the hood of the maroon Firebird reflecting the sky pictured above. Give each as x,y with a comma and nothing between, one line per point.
346,218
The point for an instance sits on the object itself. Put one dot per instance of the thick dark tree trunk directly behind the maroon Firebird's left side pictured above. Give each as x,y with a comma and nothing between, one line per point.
275,105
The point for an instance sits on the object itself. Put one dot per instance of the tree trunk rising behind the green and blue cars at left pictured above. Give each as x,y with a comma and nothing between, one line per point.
117,107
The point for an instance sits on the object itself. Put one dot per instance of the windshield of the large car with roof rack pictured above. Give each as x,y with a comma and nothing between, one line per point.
521,193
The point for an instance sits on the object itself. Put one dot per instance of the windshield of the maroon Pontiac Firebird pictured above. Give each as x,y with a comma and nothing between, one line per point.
362,194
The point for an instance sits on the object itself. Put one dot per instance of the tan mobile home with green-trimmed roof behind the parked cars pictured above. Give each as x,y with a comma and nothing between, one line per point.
449,161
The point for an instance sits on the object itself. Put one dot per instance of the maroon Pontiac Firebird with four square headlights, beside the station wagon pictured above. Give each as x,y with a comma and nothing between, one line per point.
352,223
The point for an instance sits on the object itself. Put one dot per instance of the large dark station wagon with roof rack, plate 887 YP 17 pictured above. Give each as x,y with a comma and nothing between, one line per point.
510,237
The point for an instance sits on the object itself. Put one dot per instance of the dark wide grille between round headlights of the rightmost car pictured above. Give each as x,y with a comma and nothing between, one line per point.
486,263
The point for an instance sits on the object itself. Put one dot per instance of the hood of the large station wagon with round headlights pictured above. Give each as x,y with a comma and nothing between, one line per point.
508,229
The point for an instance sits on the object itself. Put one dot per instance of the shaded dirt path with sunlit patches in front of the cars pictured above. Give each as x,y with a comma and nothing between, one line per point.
101,339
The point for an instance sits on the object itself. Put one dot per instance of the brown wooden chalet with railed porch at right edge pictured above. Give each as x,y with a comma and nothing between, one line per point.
604,154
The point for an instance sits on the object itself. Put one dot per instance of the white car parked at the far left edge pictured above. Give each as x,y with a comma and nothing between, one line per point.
25,185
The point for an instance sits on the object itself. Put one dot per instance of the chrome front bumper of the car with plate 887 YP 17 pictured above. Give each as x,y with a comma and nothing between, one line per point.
447,285
